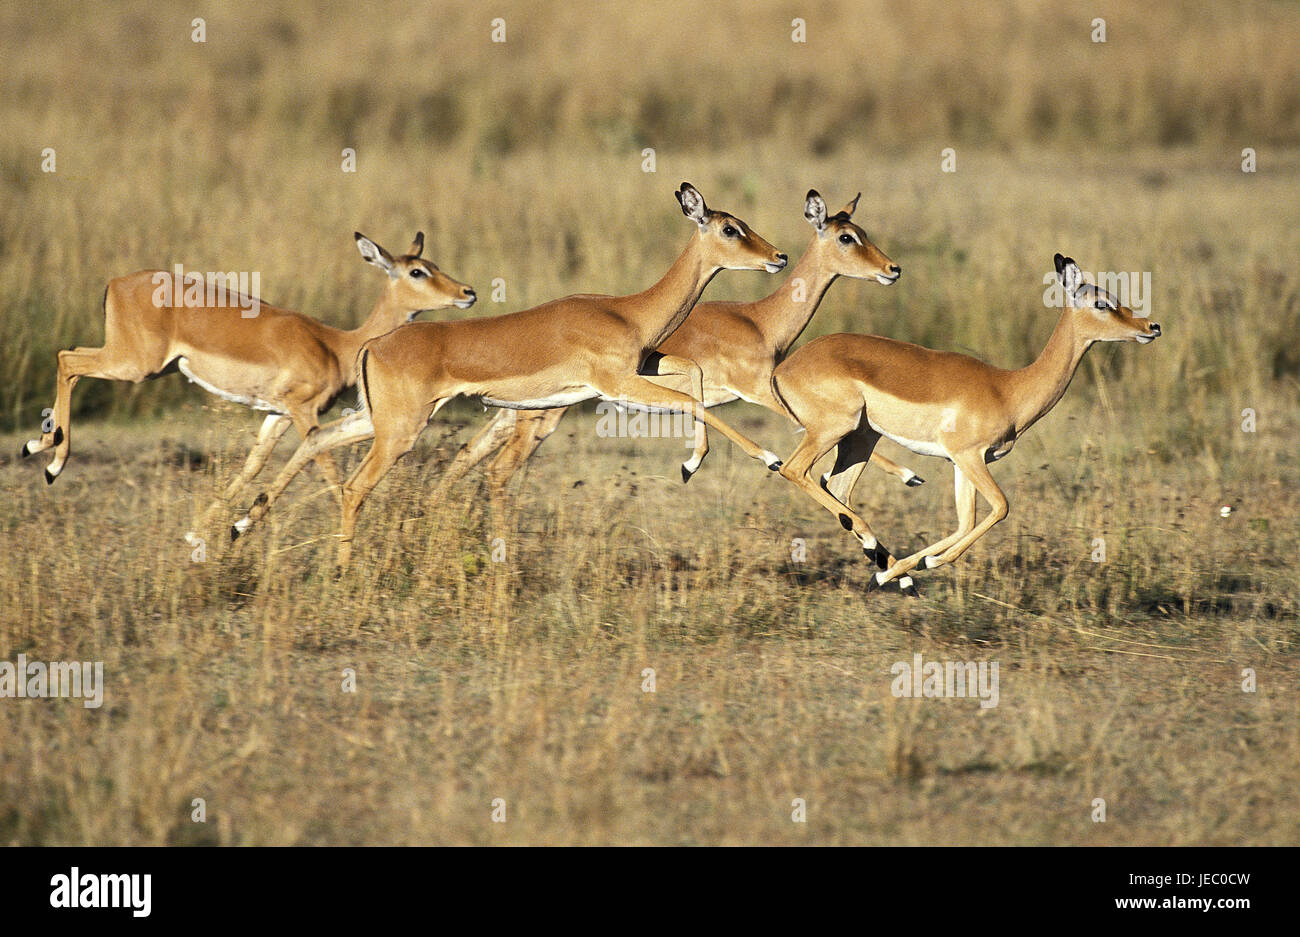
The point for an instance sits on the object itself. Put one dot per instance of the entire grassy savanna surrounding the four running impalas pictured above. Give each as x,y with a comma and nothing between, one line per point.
525,679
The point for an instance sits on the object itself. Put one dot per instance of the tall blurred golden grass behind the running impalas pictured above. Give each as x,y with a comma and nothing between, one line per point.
523,159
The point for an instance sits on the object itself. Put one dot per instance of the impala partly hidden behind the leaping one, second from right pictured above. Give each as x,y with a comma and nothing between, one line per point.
736,346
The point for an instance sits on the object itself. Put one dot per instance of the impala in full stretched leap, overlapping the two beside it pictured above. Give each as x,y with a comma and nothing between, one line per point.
553,355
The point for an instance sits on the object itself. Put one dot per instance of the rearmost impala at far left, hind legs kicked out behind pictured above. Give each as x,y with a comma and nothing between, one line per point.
279,361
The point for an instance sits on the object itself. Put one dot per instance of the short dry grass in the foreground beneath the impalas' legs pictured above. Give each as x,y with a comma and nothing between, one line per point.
523,680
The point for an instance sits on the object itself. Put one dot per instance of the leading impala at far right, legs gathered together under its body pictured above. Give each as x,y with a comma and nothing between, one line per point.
850,391
